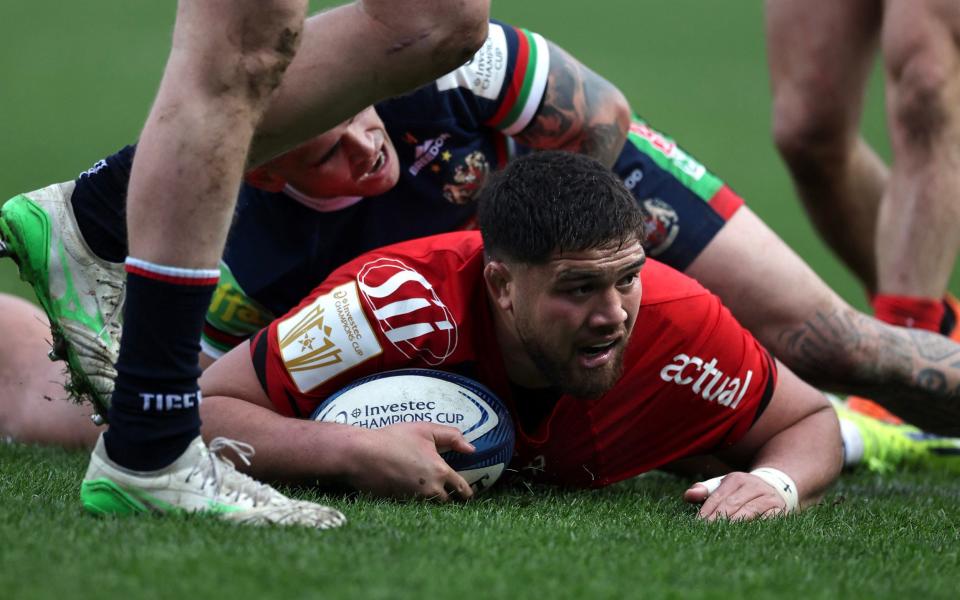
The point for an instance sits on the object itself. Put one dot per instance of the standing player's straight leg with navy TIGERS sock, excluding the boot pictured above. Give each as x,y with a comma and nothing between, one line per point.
227,59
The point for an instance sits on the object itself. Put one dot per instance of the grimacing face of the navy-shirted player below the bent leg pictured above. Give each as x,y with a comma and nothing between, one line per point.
356,158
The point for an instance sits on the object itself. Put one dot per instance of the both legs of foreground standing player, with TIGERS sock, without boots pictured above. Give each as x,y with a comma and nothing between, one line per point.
227,59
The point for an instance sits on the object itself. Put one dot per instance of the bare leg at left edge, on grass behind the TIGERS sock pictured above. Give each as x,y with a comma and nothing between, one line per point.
33,404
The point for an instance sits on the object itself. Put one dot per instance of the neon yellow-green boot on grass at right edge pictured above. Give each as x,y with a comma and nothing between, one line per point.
888,447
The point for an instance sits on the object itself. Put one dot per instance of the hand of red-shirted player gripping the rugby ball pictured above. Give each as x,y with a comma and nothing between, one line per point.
403,461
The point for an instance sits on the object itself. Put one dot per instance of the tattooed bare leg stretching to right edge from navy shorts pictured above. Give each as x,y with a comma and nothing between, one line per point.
915,374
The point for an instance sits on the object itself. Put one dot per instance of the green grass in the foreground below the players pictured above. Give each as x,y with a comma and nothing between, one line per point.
872,538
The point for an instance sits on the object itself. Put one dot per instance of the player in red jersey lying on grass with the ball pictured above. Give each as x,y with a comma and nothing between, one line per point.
611,364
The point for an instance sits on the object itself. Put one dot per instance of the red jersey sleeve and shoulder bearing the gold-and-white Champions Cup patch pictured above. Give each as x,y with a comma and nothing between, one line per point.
388,309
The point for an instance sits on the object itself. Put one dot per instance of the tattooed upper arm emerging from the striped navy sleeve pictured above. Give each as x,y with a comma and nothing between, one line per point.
581,112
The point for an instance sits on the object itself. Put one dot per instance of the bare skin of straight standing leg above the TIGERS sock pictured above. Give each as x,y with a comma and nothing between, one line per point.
191,155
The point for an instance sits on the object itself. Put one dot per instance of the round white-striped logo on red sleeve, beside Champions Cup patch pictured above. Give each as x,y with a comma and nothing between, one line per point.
409,312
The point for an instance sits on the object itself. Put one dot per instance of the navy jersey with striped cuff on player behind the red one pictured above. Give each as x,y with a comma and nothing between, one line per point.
448,135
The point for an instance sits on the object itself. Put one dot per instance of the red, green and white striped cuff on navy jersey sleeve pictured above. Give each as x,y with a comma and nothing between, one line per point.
527,85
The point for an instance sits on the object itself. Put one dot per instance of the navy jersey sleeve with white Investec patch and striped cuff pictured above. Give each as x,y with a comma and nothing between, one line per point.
503,84
